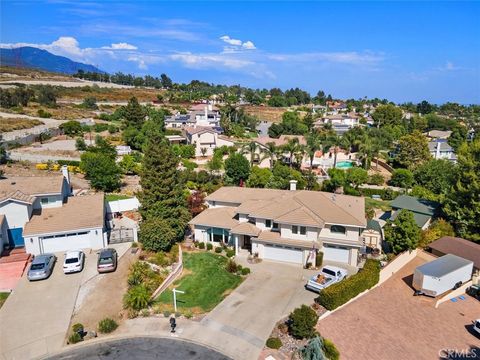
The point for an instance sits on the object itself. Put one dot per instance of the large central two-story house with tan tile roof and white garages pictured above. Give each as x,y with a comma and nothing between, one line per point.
284,225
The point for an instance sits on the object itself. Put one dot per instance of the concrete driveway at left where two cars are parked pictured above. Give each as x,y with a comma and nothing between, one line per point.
36,316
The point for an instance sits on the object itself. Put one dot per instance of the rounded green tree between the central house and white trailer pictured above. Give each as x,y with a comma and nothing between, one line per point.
404,233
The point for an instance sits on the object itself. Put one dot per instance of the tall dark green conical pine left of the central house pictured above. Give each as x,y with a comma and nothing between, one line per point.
162,194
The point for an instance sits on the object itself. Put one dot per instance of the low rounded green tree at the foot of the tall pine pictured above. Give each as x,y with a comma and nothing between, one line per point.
156,234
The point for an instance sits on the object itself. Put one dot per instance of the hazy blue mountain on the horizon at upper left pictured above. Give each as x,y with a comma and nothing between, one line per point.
30,57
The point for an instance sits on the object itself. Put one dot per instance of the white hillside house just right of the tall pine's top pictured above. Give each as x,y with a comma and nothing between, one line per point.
205,138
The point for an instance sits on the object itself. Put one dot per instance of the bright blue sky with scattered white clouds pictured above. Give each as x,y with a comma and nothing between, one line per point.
403,51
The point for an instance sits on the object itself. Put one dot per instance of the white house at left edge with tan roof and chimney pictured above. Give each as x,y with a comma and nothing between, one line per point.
40,215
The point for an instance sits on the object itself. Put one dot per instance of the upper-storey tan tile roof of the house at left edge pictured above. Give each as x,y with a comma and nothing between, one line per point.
32,185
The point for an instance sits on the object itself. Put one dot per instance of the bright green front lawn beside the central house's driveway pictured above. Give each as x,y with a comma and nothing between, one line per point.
206,283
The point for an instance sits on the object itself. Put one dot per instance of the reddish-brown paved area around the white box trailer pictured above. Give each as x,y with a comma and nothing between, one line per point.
389,323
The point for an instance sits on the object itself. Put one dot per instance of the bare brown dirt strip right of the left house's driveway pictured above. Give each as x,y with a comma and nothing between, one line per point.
105,298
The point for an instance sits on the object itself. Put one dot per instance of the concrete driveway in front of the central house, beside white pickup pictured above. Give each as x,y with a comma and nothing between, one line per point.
270,293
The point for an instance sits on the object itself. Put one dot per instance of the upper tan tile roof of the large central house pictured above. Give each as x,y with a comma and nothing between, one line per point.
317,206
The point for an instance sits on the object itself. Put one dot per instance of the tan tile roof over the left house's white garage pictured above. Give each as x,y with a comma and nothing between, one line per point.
80,212
